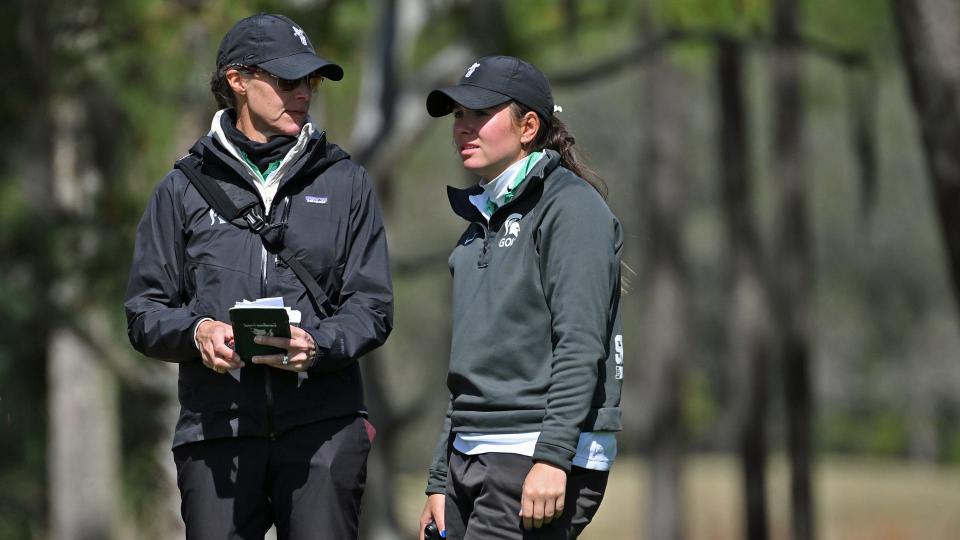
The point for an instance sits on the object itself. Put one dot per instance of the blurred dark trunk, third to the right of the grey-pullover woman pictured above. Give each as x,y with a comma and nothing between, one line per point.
793,264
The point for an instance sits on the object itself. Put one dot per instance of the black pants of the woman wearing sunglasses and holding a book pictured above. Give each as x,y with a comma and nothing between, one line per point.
308,482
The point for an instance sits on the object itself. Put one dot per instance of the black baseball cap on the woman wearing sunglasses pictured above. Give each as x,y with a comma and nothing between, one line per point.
276,44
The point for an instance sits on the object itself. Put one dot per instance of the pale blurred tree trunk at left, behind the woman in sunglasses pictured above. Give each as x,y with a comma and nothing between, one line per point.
84,456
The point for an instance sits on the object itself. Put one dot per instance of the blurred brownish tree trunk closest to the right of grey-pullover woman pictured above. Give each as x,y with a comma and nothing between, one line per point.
664,293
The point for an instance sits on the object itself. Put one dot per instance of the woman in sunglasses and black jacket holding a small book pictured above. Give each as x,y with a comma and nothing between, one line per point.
277,438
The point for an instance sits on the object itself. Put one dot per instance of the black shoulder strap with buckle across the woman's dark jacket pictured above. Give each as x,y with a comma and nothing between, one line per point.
217,198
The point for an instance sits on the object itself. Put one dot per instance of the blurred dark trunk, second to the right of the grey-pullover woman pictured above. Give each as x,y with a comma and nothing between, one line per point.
749,340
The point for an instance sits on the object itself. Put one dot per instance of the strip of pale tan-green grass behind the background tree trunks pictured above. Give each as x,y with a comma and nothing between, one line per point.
856,499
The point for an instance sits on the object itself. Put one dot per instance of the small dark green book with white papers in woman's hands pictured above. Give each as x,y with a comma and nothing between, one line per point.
261,317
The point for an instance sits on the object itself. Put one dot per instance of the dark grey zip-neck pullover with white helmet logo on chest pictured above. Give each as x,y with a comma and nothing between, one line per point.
536,340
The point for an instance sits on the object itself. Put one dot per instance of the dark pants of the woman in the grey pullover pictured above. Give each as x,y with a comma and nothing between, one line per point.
483,499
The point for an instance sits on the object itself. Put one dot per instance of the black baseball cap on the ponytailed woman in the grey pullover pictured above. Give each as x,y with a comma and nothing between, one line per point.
493,80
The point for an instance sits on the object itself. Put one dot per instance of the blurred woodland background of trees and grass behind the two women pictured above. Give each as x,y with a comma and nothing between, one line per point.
788,177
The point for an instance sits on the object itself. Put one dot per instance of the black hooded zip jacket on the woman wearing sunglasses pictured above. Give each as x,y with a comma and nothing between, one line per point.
189,264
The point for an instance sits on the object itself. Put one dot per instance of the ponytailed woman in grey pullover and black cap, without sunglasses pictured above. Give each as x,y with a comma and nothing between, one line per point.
536,361
